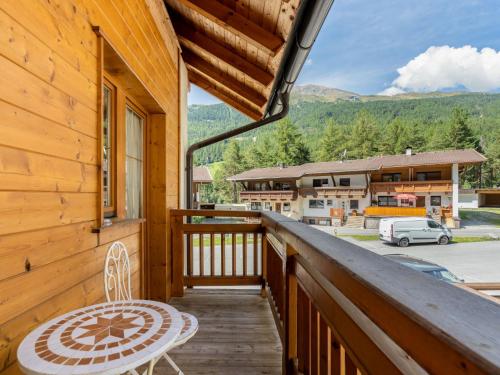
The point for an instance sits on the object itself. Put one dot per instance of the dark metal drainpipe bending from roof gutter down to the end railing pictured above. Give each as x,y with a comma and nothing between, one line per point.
221,137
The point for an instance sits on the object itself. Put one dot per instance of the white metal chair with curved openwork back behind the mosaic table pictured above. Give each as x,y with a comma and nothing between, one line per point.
117,288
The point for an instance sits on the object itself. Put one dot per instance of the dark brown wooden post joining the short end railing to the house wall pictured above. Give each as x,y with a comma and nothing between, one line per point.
177,241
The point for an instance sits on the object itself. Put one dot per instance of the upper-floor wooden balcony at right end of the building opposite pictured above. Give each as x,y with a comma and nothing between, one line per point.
441,186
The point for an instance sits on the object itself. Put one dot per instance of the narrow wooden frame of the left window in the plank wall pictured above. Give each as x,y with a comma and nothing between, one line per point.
110,210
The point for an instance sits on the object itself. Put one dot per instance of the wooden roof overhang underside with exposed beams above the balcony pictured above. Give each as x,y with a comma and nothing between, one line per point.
233,49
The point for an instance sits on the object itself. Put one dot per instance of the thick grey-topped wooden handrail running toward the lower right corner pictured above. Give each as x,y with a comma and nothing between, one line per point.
415,321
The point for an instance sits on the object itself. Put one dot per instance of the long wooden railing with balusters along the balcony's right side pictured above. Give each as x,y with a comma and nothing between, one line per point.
341,309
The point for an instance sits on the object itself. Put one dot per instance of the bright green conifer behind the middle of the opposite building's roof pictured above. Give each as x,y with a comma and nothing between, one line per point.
364,136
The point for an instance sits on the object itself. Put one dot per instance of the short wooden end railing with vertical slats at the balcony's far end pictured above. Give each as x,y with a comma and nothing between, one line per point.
216,253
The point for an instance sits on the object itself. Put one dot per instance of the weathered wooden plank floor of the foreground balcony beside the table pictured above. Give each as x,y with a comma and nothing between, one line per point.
237,335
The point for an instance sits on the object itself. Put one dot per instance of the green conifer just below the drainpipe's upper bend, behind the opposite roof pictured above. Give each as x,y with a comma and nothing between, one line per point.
290,147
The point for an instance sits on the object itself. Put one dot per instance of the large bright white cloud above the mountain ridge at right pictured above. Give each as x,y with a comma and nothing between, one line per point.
445,67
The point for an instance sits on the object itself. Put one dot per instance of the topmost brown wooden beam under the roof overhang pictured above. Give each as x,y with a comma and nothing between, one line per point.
236,23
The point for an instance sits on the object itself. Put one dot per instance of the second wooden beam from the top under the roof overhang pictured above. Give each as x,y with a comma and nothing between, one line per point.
195,40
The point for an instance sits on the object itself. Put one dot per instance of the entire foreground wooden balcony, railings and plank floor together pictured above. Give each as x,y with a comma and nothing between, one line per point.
338,308
